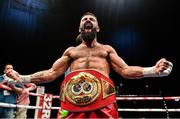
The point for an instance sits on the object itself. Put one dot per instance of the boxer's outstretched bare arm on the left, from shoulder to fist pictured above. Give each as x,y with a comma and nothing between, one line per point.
57,69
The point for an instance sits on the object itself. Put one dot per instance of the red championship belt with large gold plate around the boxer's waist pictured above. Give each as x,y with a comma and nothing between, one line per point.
86,90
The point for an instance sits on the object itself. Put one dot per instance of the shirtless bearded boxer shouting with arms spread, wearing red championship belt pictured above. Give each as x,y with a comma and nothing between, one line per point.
88,92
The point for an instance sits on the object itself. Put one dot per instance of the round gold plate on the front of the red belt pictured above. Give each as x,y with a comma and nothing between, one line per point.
83,89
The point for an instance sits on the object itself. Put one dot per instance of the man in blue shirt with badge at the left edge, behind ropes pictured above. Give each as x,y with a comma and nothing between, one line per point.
8,93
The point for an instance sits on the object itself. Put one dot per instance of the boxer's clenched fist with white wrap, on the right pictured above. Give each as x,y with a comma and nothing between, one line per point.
163,67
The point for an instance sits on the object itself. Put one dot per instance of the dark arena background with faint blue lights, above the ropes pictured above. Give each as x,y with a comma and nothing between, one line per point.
33,34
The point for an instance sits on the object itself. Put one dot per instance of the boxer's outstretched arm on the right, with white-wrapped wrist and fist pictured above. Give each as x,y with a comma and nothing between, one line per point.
162,67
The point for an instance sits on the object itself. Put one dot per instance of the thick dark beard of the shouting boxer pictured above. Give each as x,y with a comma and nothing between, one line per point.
88,37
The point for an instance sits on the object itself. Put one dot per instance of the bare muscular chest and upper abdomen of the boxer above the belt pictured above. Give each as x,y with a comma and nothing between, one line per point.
95,58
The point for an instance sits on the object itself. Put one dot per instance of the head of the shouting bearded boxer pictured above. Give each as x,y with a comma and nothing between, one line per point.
88,28
